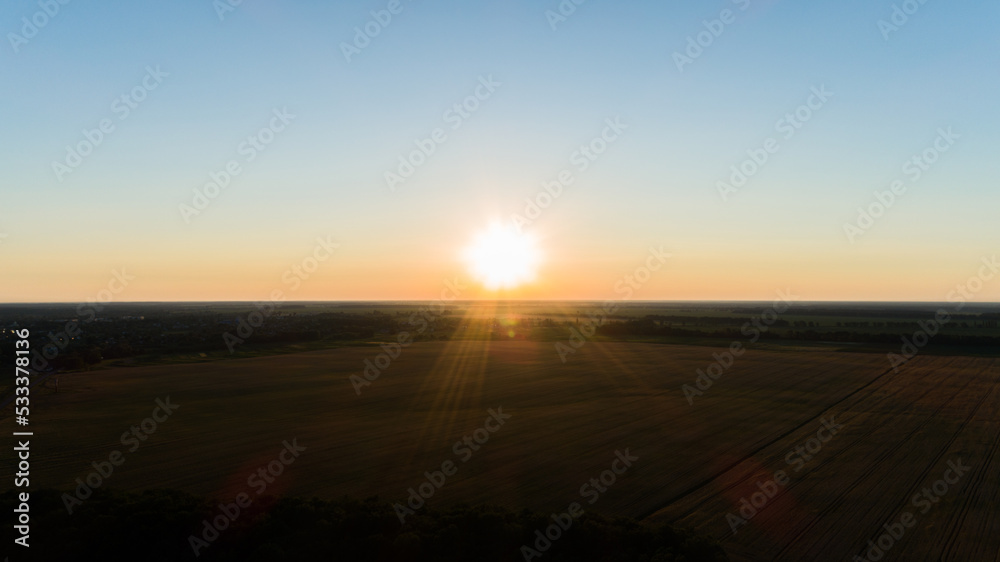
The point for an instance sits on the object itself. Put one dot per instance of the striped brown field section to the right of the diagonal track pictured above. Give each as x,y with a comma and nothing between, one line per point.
917,447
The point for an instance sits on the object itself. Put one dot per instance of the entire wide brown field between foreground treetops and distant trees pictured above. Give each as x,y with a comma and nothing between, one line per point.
564,423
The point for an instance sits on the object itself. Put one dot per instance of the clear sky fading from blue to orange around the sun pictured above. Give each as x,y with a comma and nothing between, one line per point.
312,106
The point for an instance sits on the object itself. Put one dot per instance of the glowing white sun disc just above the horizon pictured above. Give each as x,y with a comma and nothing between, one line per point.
502,258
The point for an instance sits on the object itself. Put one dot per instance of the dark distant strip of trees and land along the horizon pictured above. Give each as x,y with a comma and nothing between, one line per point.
62,339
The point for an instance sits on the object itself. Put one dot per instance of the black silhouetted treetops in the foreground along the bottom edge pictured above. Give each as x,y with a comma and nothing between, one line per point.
159,525
